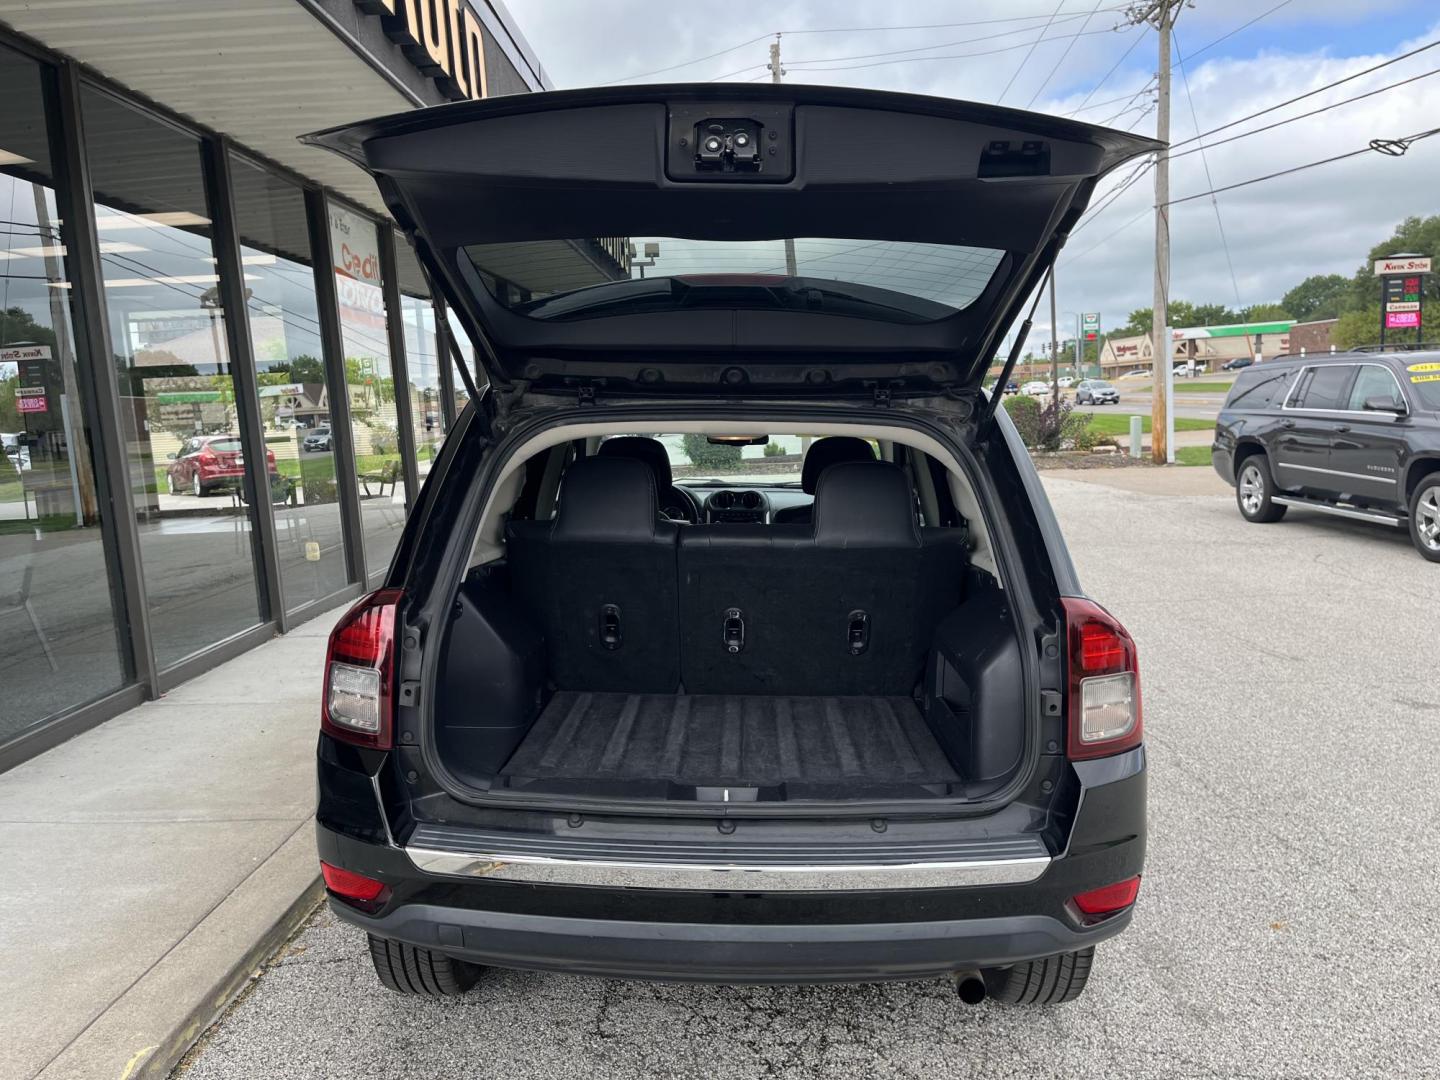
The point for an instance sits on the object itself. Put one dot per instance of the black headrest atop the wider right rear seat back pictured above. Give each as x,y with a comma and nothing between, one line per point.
865,505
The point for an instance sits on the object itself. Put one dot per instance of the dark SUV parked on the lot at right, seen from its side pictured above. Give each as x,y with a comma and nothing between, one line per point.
1351,434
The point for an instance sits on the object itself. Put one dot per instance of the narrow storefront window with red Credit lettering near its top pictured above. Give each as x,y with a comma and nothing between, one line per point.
355,248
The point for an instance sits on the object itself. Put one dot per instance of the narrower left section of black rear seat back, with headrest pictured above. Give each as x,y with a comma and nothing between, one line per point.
603,581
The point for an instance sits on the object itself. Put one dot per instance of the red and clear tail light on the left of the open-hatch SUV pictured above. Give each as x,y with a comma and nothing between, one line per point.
359,703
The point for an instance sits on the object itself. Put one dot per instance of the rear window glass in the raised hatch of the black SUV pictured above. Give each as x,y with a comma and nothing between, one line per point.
891,280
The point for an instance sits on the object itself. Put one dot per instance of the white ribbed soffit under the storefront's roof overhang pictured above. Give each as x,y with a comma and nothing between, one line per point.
261,71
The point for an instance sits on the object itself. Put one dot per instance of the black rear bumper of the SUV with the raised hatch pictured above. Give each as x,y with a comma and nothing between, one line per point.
742,930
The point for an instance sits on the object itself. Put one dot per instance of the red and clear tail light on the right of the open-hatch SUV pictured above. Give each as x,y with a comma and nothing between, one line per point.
1105,683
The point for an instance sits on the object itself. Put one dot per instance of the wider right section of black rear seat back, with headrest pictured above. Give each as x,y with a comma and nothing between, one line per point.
846,607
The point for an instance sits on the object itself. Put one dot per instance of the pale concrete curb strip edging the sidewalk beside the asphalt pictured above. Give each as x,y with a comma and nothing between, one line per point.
146,1032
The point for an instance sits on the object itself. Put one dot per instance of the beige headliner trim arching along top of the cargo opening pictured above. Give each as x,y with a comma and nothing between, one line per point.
490,541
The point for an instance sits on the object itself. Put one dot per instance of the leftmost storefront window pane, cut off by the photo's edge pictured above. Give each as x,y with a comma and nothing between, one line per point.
58,614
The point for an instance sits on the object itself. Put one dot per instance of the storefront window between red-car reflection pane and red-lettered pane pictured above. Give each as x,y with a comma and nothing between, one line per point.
294,394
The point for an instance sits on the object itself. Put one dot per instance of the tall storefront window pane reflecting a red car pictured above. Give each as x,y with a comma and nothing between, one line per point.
178,395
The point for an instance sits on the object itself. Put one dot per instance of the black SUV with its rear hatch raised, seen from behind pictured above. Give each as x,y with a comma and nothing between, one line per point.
741,721
